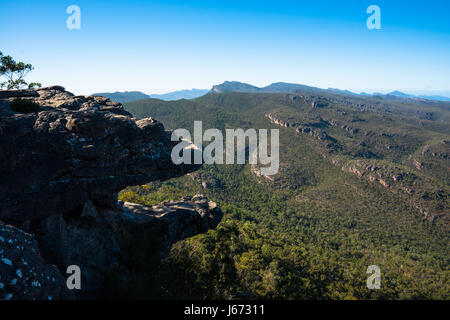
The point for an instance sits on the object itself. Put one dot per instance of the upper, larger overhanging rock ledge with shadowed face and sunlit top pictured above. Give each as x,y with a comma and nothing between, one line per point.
76,149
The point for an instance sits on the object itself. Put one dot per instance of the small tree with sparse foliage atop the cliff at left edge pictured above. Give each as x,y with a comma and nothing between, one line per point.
14,73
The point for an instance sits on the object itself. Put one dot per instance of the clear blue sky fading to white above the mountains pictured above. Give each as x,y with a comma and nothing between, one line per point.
161,46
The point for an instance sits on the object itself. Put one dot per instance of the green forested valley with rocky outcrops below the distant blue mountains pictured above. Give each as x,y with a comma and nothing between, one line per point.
362,181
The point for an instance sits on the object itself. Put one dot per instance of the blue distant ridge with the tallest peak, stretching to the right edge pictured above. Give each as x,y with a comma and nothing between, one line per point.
282,87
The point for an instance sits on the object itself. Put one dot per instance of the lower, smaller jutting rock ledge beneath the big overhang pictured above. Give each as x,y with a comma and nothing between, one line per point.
97,238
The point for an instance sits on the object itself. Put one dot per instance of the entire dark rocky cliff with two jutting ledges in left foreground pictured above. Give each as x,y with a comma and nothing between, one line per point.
61,170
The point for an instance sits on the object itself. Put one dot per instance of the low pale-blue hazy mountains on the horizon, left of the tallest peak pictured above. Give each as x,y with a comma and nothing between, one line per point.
127,96
